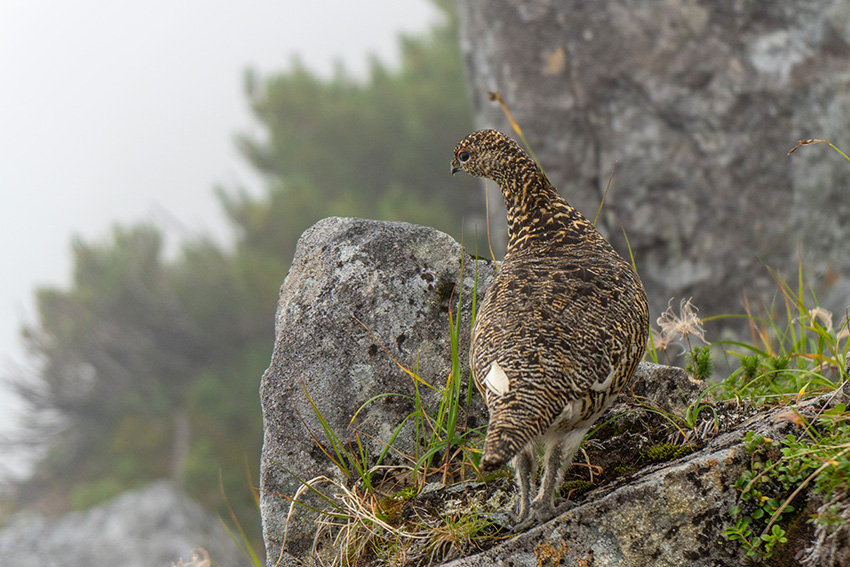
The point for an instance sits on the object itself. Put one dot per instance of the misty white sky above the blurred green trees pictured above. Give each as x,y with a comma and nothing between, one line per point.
126,111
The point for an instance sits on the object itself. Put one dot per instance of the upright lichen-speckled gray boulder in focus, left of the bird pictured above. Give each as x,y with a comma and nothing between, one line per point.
358,295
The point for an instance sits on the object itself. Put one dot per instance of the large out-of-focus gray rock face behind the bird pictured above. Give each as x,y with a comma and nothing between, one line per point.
697,104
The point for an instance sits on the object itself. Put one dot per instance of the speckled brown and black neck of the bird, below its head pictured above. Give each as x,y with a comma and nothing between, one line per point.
536,213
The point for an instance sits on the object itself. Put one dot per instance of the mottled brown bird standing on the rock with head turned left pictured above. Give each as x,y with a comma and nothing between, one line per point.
561,328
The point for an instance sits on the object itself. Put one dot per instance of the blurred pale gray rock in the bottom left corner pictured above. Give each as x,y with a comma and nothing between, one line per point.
154,527
